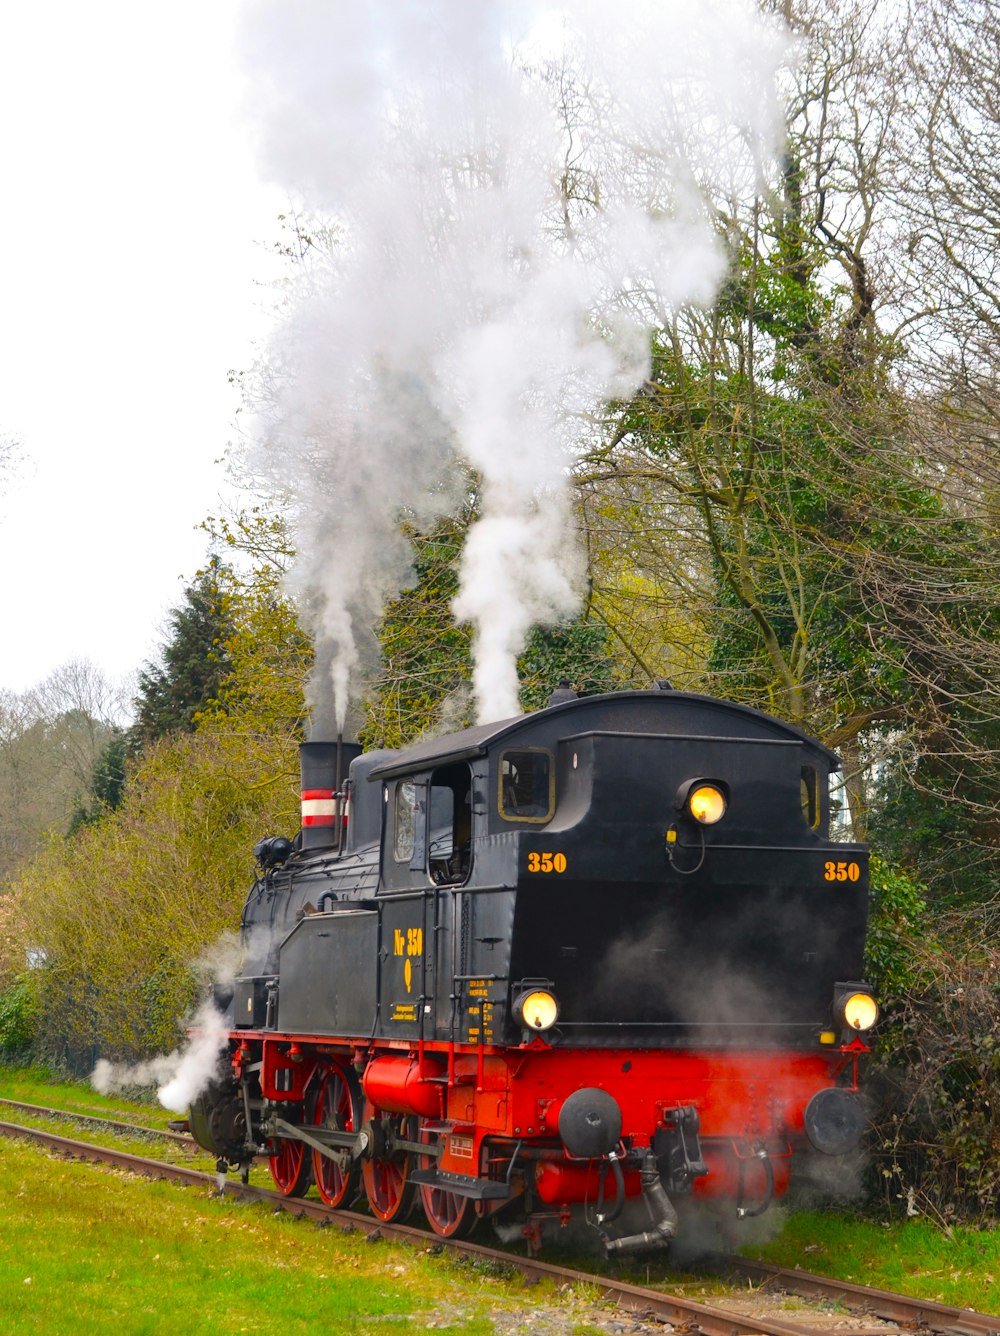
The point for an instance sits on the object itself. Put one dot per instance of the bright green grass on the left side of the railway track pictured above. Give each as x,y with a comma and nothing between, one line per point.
93,1251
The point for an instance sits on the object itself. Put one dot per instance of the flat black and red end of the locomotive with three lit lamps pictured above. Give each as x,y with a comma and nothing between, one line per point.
695,927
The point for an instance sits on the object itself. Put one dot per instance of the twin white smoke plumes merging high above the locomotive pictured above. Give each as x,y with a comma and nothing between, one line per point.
519,198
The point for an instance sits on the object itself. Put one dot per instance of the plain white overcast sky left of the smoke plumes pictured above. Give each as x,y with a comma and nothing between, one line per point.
134,241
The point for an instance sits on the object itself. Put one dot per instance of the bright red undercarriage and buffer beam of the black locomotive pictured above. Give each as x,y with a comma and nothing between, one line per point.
479,1104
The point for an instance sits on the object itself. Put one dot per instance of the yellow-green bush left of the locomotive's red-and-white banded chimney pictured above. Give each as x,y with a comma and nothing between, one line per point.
125,910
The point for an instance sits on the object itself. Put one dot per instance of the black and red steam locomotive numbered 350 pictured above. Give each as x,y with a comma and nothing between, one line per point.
596,955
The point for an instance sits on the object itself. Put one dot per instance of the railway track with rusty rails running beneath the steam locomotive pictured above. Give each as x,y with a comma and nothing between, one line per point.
839,1307
